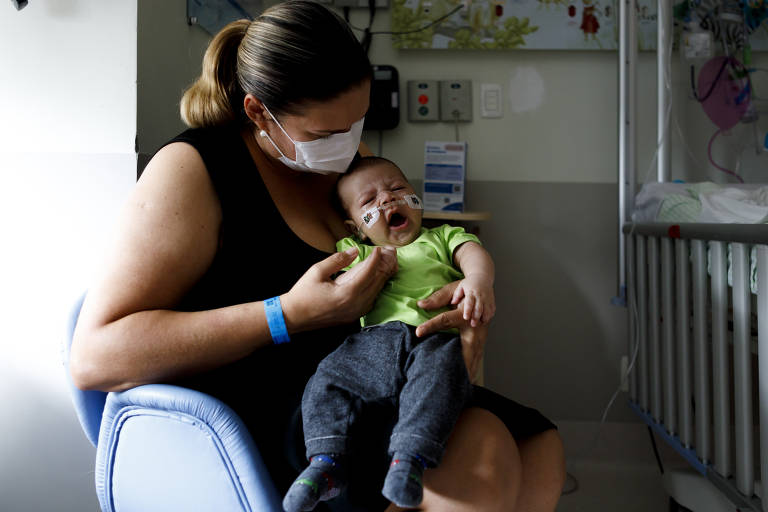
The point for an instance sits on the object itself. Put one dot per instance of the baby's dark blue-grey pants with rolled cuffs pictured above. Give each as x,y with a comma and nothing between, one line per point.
425,379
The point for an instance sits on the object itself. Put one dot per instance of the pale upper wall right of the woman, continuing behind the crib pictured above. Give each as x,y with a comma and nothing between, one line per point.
568,136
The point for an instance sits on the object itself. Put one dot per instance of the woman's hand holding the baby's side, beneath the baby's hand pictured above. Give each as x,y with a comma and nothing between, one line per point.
472,338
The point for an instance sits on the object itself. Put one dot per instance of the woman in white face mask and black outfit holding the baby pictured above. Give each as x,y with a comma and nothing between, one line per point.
239,209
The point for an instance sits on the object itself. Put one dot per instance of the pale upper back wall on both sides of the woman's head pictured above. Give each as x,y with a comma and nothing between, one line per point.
568,135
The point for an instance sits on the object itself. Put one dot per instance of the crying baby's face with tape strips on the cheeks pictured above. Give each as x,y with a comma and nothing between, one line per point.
379,185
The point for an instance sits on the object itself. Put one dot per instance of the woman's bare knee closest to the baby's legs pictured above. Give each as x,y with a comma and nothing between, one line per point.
481,469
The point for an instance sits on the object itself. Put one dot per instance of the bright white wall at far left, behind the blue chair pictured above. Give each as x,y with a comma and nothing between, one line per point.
67,161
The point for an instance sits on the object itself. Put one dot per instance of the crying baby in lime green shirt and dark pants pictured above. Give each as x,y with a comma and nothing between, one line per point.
424,378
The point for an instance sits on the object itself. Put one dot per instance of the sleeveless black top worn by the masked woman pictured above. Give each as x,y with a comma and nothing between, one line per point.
259,256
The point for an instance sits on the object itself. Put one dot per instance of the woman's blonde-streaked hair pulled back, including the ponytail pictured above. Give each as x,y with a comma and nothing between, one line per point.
295,53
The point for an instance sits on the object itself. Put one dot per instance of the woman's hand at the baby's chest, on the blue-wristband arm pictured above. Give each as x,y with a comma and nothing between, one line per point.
317,300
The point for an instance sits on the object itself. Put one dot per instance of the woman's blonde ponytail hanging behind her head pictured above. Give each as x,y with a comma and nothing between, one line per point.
216,97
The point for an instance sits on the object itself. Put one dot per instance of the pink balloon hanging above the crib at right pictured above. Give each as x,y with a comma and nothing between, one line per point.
727,100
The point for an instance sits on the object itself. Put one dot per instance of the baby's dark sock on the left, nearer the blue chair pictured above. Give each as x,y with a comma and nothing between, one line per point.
322,480
